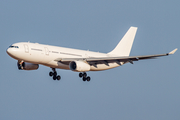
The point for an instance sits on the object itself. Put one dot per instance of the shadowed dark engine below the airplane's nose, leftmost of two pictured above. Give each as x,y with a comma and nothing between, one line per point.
27,66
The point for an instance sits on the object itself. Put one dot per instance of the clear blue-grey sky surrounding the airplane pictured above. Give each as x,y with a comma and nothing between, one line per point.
146,90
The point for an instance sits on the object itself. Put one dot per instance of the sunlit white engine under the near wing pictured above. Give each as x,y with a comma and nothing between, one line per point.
79,66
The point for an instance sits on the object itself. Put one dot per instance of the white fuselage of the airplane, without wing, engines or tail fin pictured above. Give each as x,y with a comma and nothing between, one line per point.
45,54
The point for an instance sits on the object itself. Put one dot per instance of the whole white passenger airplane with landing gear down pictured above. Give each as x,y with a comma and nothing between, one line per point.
30,55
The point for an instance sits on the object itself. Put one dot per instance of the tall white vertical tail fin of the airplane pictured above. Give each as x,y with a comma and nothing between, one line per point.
124,46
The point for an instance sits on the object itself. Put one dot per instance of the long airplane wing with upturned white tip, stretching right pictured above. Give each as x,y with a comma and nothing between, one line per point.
106,60
